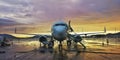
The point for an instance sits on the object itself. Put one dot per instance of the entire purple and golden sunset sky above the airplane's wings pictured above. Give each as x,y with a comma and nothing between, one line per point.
36,16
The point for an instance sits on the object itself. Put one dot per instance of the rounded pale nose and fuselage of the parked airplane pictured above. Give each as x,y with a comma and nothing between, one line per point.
60,31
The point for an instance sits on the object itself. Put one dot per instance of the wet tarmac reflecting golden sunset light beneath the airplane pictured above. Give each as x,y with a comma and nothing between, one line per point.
31,50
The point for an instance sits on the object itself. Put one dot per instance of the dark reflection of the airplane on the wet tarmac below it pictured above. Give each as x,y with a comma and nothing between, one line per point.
60,54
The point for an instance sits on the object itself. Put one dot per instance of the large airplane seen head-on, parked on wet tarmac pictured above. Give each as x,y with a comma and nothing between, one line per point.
60,31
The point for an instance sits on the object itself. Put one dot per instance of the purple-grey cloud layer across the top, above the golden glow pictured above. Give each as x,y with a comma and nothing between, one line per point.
34,11
